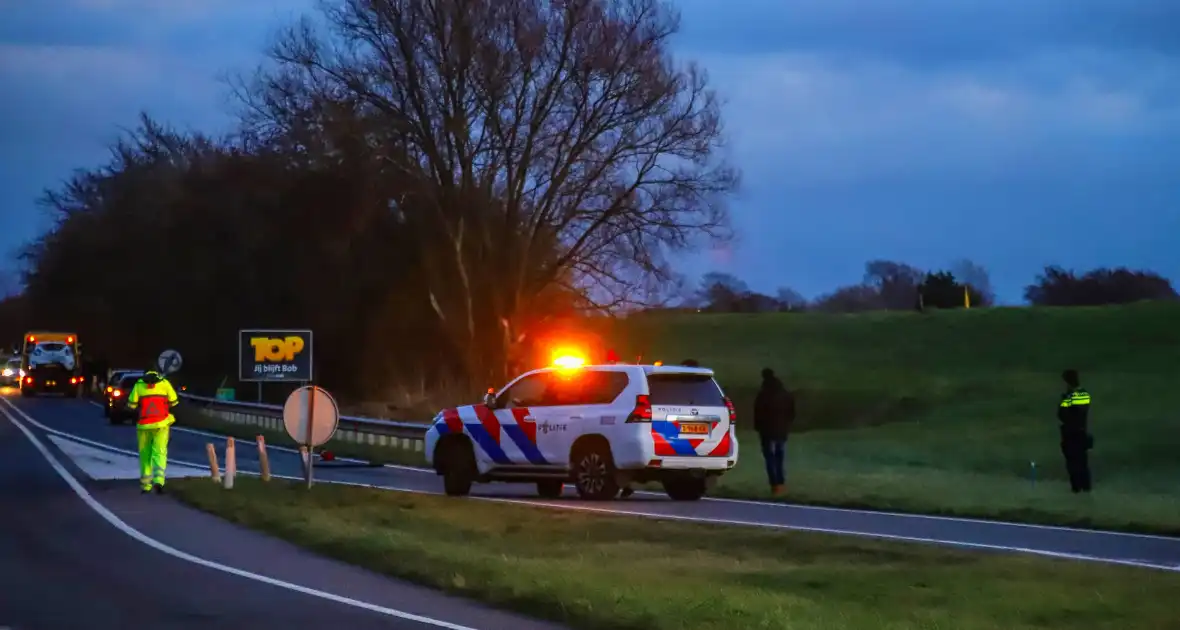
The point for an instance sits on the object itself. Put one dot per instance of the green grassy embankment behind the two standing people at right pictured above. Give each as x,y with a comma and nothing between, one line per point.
946,412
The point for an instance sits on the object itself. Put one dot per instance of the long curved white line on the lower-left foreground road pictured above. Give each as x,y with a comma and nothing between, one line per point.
117,523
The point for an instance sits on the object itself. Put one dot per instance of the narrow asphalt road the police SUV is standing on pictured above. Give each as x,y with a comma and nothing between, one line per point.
84,421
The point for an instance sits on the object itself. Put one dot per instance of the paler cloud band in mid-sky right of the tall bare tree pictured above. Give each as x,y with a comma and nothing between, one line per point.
834,122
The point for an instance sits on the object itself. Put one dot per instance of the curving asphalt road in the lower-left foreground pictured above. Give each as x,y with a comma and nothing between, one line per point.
150,562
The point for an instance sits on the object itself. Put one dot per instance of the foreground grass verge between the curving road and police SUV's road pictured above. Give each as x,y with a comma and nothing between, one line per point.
620,573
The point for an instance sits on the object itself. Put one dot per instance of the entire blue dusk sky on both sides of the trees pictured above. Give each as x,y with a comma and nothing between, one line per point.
1013,133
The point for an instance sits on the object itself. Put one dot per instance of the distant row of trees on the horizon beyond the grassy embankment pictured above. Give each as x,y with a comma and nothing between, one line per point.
895,286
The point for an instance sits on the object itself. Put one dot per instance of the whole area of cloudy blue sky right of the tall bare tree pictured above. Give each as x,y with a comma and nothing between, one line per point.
928,130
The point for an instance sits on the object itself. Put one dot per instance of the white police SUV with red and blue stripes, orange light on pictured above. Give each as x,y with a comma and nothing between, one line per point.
602,428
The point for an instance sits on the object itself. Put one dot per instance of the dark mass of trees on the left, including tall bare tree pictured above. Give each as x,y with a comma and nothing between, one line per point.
424,185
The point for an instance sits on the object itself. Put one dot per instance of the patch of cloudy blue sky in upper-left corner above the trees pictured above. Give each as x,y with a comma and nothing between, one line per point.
75,73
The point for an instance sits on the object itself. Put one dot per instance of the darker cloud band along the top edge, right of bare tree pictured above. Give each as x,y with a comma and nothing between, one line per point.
932,32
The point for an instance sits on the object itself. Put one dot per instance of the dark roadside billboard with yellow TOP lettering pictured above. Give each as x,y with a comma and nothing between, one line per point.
274,356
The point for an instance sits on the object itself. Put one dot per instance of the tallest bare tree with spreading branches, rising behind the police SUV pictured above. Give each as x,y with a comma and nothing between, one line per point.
543,142
